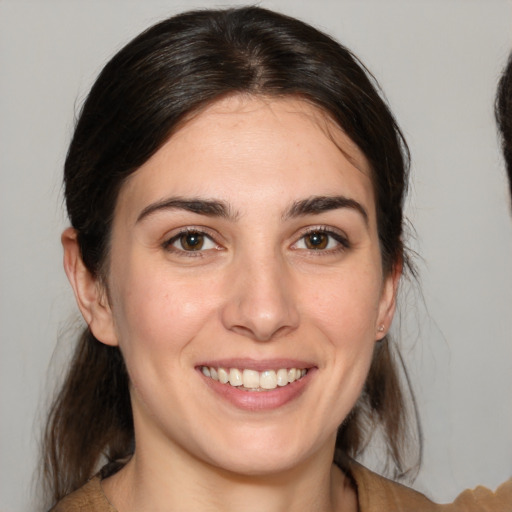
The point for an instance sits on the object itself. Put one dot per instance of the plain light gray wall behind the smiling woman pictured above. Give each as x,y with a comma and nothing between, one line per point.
438,62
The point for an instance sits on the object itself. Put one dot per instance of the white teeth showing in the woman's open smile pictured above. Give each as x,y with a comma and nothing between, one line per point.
252,380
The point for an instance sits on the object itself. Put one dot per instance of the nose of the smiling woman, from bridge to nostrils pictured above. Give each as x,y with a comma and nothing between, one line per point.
261,303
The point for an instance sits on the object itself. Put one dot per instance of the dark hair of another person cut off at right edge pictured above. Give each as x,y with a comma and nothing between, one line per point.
503,112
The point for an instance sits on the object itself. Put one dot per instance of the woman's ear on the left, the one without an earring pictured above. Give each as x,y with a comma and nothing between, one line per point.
90,293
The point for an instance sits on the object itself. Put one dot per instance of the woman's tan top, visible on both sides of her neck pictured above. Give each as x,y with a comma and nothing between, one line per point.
375,494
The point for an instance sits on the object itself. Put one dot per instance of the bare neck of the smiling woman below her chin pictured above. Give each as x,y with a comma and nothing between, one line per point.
177,482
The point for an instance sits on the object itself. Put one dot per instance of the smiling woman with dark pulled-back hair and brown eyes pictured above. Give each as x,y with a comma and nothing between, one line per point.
235,188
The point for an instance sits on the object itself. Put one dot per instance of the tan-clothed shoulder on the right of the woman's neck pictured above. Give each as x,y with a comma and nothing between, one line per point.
377,493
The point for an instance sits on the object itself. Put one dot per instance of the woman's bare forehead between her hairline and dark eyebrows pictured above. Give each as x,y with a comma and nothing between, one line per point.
246,149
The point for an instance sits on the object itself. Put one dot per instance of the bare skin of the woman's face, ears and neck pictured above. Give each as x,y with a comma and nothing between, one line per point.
255,293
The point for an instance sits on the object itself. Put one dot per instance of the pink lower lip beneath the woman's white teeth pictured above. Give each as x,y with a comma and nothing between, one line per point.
260,400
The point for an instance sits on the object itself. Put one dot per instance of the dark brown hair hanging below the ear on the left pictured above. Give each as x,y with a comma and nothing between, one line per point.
90,419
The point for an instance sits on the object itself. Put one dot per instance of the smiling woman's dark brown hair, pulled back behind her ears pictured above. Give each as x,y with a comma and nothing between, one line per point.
143,95
